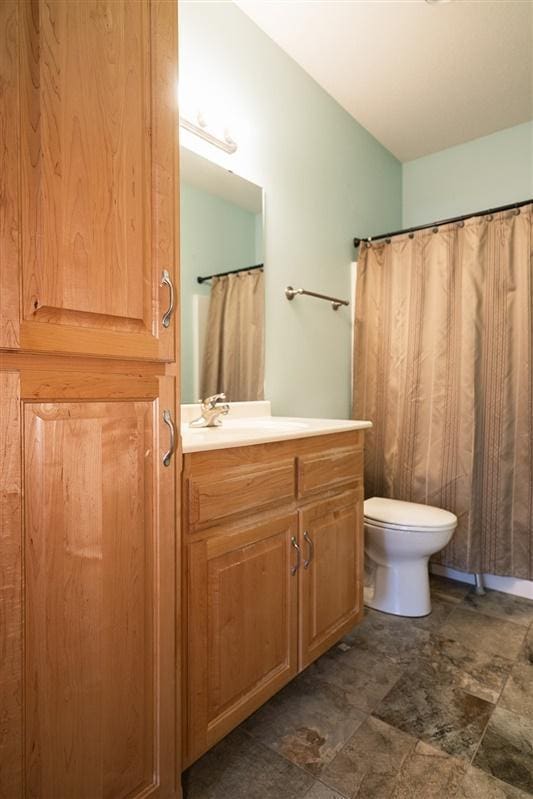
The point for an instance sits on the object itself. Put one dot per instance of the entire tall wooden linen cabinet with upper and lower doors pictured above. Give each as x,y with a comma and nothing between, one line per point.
89,487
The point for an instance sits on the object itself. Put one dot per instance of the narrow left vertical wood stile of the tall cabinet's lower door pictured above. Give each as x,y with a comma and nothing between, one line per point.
11,619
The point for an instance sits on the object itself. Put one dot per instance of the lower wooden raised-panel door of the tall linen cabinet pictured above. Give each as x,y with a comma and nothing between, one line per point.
92,697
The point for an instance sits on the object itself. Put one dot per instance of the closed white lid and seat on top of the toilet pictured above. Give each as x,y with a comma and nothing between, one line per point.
400,514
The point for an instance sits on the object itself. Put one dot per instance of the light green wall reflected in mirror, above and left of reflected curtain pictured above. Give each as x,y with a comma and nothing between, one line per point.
216,235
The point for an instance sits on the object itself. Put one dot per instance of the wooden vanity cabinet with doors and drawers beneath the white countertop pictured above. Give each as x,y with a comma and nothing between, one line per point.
273,561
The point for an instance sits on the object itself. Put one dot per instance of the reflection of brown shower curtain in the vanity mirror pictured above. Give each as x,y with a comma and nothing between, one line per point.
234,345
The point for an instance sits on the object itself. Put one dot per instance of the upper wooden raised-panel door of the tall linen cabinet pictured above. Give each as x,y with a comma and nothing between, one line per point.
90,177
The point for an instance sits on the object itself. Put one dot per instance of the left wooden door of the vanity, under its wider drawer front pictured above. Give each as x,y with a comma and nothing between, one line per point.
242,626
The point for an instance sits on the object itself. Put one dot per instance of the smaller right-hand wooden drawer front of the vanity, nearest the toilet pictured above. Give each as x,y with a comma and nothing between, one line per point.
328,469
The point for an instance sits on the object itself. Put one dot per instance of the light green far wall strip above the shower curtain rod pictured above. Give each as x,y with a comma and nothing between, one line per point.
485,173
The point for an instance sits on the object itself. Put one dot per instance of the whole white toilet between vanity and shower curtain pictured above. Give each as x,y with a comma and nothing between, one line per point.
400,537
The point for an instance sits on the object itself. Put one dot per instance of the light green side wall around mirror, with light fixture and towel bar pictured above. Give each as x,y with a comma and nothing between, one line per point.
326,179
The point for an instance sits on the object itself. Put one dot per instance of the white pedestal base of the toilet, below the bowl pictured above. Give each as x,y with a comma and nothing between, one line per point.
402,590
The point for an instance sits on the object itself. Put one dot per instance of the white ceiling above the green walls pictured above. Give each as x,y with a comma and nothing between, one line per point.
420,77
